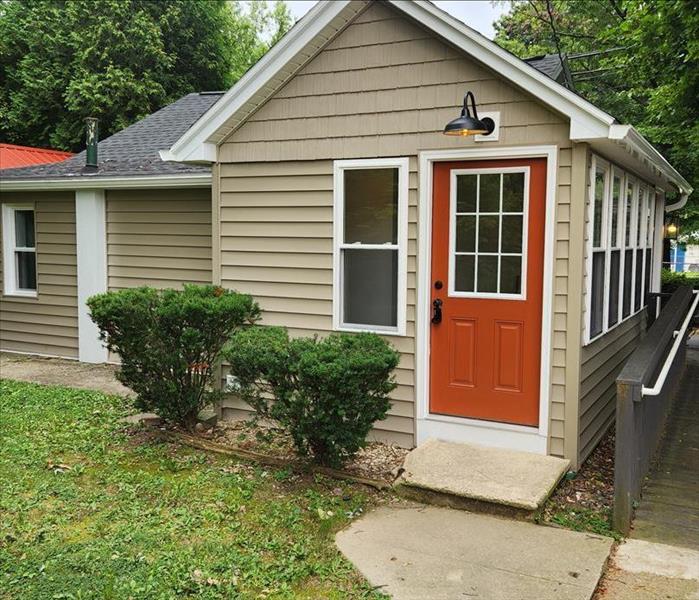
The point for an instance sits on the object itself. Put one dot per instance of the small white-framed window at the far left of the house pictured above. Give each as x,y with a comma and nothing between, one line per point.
19,249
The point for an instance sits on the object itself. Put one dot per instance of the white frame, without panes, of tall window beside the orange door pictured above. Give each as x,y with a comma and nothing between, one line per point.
339,166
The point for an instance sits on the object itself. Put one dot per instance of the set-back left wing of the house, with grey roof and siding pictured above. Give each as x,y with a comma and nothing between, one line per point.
79,230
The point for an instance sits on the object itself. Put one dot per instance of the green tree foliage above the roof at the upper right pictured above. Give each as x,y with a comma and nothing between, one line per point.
636,59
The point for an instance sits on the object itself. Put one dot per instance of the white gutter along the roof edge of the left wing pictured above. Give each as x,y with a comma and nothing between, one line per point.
123,182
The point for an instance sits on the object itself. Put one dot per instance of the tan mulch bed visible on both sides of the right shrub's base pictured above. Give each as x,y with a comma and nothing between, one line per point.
376,461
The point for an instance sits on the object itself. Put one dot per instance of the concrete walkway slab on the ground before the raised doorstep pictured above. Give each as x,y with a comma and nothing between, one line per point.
422,552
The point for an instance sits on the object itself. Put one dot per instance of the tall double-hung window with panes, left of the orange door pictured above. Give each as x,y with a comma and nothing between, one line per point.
370,256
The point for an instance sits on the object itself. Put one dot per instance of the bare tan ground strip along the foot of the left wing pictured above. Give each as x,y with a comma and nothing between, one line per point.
60,371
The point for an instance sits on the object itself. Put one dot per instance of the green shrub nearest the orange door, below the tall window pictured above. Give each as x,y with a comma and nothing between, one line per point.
327,393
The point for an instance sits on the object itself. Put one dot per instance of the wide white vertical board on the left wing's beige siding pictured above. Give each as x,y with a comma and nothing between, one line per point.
91,243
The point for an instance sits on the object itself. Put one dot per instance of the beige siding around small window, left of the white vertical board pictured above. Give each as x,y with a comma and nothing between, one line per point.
47,324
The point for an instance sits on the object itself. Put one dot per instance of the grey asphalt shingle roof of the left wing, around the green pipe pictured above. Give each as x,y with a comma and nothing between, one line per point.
134,150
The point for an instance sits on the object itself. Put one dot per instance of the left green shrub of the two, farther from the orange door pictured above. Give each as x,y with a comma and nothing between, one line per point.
170,342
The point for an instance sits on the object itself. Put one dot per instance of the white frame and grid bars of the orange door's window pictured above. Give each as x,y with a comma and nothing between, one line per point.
452,293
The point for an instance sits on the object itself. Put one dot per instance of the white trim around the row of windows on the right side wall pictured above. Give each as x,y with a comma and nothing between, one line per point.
637,231
